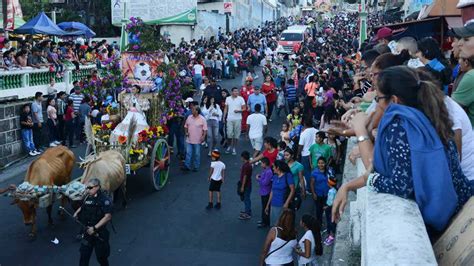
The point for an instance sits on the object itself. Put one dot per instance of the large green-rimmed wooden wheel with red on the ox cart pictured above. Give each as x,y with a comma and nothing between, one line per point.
159,164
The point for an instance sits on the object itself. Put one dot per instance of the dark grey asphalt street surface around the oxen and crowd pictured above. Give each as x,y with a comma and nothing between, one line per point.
169,227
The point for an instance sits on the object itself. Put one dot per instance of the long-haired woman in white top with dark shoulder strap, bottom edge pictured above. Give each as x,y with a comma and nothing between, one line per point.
280,241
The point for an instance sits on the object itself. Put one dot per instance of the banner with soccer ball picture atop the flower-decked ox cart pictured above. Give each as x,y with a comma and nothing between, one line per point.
141,69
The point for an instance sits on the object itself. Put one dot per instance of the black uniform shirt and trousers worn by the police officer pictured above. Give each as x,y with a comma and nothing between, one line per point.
92,211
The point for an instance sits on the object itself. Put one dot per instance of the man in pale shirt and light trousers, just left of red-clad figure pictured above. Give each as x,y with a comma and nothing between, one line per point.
234,105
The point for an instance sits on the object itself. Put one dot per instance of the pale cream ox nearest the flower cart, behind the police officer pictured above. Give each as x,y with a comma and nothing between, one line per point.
109,168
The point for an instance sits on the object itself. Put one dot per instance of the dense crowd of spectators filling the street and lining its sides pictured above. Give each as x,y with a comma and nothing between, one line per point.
410,109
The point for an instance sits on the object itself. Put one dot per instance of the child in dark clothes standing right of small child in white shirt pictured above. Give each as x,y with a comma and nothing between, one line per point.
245,185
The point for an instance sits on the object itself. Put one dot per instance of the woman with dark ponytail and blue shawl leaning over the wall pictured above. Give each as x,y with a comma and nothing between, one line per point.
413,109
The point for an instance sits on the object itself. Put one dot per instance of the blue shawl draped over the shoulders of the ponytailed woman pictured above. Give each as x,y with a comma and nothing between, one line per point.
432,181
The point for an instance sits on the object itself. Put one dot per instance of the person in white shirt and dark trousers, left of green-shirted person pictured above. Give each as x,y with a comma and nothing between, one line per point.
307,138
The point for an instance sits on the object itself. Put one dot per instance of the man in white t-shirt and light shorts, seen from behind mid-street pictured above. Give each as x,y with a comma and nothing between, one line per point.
257,127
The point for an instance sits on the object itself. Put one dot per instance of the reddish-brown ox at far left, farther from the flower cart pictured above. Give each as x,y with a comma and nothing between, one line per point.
53,167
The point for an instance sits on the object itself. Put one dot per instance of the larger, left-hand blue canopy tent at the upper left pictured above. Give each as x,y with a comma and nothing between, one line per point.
41,24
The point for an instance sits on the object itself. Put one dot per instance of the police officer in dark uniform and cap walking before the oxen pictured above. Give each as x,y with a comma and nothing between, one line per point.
95,213
